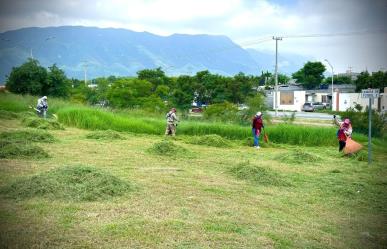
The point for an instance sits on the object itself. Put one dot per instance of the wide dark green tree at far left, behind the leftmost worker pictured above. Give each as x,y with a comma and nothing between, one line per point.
28,78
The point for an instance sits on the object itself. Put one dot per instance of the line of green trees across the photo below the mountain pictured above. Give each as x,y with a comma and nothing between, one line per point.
151,88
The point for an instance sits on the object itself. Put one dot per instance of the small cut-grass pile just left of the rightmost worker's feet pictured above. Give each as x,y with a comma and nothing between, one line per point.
298,156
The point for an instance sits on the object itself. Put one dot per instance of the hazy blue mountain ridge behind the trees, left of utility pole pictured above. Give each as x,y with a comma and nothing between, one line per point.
121,52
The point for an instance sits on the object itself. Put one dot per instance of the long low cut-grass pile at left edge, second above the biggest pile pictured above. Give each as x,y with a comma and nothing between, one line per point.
26,136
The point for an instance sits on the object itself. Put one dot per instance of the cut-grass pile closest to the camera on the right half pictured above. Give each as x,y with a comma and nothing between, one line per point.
257,175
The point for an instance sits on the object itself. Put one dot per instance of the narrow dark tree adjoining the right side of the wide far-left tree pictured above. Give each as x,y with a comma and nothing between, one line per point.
57,83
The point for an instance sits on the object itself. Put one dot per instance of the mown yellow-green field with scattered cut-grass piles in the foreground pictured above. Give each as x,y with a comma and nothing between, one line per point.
119,189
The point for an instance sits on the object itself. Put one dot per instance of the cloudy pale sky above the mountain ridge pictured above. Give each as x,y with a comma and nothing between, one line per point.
356,29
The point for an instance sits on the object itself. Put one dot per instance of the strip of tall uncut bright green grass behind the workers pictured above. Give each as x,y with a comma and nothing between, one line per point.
139,122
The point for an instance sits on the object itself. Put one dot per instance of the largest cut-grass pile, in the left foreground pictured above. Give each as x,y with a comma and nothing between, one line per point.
78,183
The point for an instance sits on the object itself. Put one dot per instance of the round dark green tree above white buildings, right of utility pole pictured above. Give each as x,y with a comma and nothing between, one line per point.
311,75
